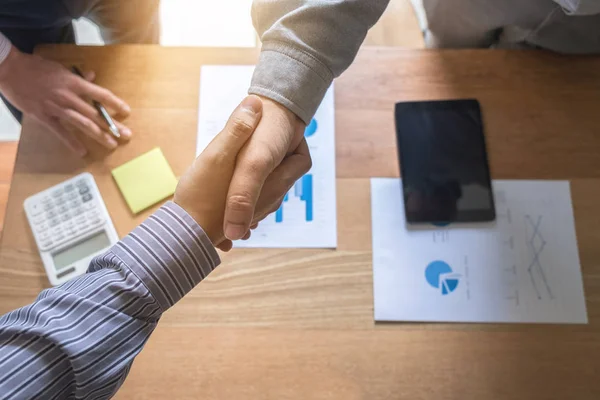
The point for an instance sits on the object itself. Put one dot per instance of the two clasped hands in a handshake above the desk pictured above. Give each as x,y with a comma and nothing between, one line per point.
245,172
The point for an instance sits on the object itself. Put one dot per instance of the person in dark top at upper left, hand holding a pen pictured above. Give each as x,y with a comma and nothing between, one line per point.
50,93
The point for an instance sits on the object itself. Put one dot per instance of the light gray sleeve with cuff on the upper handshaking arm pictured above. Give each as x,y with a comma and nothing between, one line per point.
307,43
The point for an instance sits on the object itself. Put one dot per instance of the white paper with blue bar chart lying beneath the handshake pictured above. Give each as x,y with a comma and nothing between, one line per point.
307,217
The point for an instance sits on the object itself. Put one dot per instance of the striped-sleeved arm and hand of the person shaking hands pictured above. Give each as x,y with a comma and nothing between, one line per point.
57,347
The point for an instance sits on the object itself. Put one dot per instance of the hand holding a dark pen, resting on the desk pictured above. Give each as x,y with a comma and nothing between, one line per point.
59,99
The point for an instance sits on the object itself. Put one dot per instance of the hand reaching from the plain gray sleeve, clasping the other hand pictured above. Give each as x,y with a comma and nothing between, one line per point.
278,145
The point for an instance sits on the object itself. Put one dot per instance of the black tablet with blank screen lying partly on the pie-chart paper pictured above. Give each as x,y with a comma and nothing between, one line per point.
443,162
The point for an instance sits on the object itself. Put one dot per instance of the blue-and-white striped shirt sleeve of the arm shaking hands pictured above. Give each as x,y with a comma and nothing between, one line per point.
78,340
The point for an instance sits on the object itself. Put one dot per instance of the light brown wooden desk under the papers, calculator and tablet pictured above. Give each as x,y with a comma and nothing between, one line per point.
298,324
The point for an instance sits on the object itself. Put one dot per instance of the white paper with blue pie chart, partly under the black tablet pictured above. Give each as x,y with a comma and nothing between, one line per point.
523,267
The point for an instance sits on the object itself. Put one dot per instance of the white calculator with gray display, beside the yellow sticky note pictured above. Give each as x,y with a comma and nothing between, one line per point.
71,226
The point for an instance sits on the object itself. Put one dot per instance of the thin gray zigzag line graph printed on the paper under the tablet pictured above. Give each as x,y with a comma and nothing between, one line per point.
536,245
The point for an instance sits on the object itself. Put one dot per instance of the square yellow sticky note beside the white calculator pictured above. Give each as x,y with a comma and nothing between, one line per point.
145,180
